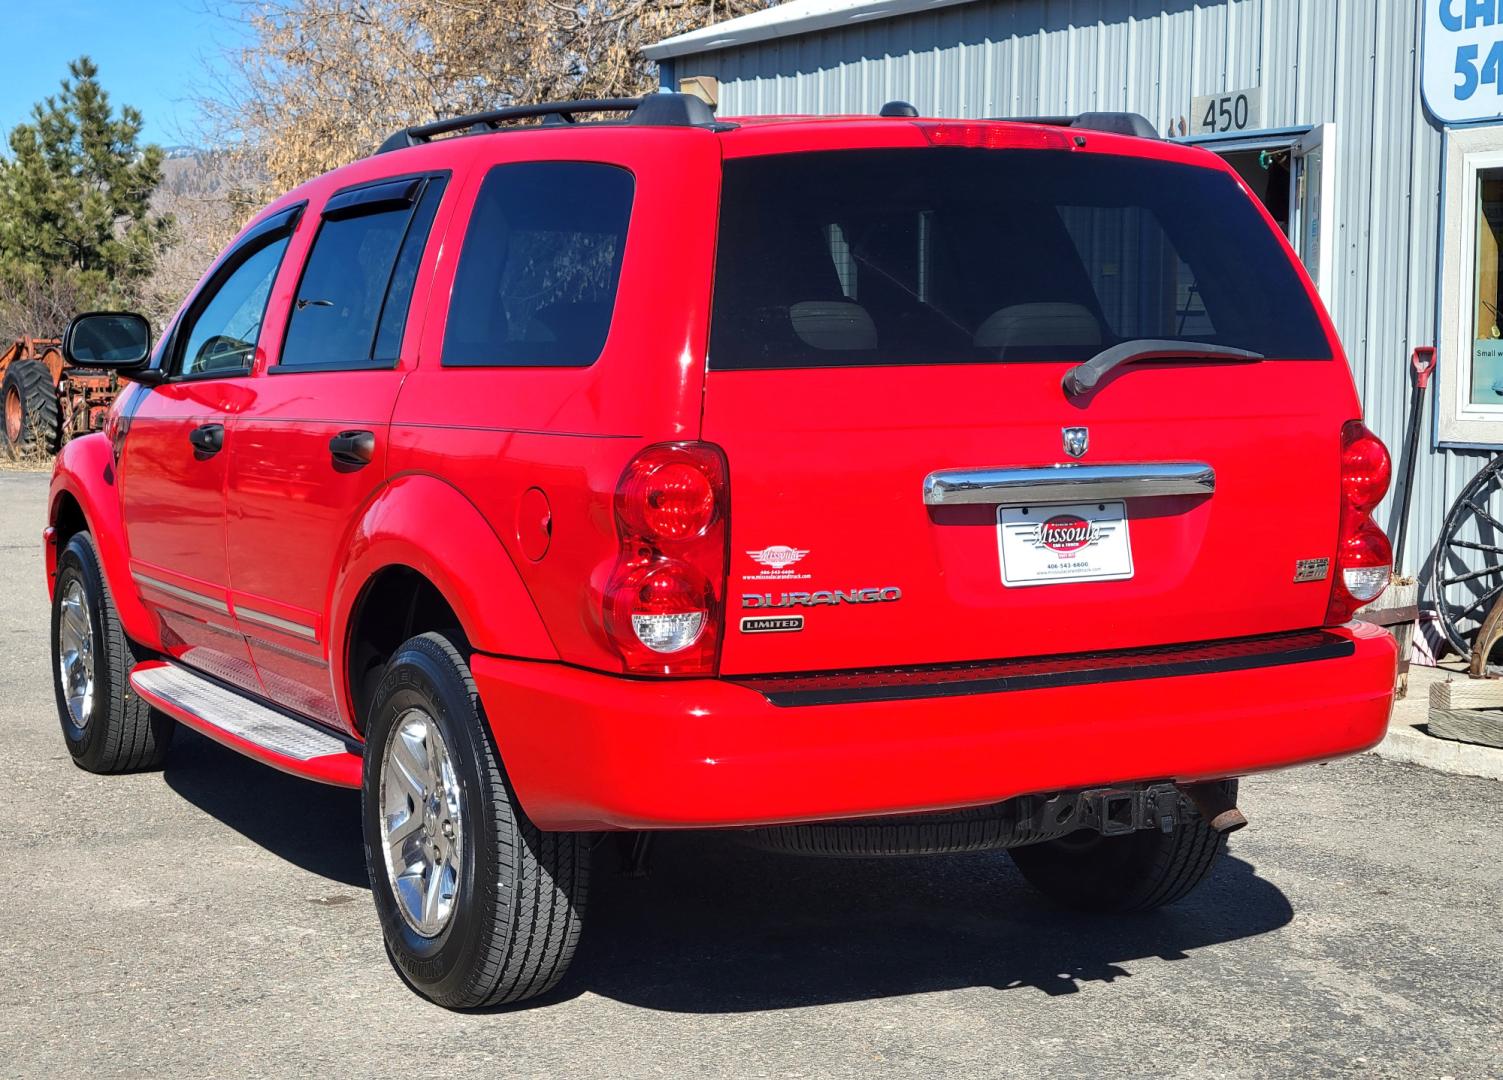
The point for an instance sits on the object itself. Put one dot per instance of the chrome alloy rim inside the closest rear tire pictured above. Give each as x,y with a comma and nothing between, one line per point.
425,830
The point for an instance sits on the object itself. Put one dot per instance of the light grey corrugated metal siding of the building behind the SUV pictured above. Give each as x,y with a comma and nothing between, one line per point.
1317,61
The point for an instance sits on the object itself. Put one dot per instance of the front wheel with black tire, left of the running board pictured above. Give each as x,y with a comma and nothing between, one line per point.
106,725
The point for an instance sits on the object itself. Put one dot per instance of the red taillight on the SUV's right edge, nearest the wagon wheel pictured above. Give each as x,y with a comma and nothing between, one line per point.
1364,558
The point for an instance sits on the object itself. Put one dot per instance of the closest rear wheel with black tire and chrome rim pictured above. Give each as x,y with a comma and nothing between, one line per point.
479,907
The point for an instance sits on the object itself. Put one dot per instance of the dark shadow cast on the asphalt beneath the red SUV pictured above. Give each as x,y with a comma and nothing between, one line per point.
722,928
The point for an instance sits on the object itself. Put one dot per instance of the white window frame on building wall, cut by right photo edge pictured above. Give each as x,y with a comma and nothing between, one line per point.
1460,423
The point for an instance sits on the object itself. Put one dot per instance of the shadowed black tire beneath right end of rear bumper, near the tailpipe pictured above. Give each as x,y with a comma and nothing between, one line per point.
1134,873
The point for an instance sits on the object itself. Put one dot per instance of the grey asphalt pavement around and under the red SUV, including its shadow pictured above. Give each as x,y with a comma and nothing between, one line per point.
214,920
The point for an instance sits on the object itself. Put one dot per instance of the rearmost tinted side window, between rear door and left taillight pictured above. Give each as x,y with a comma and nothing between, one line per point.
537,277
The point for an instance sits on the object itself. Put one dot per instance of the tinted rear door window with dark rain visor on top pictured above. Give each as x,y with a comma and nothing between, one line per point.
357,288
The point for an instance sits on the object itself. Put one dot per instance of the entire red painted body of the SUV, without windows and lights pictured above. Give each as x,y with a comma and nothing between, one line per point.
479,469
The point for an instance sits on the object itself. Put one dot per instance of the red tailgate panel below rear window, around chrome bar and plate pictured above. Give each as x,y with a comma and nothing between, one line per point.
1257,426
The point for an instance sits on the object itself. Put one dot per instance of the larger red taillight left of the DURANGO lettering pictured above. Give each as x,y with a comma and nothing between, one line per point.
665,605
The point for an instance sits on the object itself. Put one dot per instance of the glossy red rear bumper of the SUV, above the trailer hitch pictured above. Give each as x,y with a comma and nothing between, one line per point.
597,752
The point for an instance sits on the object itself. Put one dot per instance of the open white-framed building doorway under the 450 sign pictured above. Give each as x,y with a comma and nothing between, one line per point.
1293,173
